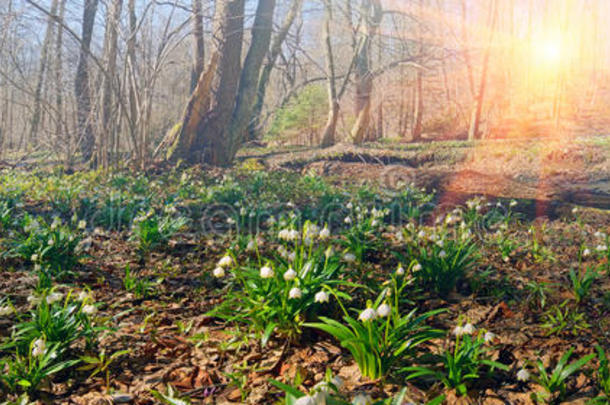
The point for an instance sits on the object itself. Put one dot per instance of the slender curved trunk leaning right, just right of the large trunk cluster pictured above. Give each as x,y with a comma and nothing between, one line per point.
276,48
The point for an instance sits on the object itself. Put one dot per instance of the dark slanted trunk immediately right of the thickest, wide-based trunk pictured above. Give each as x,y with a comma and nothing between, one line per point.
246,95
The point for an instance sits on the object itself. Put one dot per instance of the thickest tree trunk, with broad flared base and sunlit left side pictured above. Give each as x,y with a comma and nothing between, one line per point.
201,137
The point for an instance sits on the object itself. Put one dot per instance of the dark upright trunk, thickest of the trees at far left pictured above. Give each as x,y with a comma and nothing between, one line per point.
81,83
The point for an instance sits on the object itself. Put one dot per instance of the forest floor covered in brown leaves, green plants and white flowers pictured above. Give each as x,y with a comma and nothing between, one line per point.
176,325
